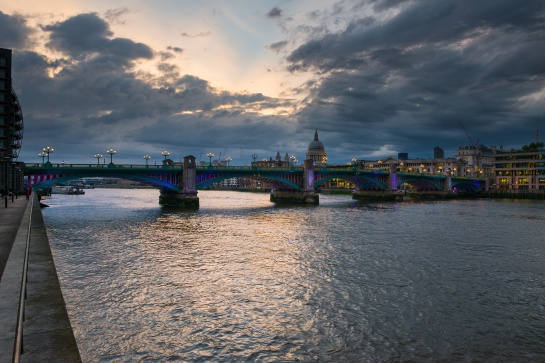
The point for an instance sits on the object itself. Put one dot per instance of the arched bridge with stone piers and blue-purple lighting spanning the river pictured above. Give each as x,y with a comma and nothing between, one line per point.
179,183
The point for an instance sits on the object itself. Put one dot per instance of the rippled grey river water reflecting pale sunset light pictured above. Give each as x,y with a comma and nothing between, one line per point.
243,280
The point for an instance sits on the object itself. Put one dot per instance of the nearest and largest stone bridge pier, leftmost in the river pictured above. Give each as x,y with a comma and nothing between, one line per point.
187,198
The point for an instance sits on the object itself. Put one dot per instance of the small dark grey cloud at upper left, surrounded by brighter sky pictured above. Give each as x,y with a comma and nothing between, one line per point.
86,34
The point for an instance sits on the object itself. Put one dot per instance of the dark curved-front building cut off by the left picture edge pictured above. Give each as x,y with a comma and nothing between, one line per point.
11,115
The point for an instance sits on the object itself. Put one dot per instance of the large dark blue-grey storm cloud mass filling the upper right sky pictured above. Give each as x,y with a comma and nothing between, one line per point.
409,80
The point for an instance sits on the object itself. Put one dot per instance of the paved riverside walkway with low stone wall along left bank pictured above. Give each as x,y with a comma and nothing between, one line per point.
47,334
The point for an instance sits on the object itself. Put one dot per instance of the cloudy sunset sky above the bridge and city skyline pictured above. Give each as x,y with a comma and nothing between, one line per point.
240,78
